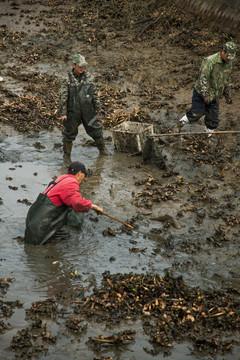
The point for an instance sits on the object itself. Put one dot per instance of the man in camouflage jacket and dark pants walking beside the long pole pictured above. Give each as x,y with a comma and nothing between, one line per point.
214,81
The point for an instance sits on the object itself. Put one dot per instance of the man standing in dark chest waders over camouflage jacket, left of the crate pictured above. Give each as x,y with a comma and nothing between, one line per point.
78,104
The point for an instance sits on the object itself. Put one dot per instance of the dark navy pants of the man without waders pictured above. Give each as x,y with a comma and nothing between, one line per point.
200,108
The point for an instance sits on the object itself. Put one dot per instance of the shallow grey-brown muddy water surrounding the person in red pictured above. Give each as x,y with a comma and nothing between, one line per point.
28,164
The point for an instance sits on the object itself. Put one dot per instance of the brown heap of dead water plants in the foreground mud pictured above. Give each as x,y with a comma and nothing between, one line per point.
170,313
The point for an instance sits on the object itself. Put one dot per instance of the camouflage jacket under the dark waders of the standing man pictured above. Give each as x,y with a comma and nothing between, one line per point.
85,80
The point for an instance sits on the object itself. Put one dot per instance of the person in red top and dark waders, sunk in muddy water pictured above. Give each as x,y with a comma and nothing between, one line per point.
51,209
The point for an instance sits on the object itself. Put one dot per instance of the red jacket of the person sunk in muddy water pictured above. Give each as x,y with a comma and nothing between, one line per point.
67,192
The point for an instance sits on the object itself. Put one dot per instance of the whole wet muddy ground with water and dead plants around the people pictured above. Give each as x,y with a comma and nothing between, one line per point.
170,287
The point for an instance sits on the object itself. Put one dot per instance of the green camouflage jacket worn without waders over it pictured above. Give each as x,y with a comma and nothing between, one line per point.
214,79
